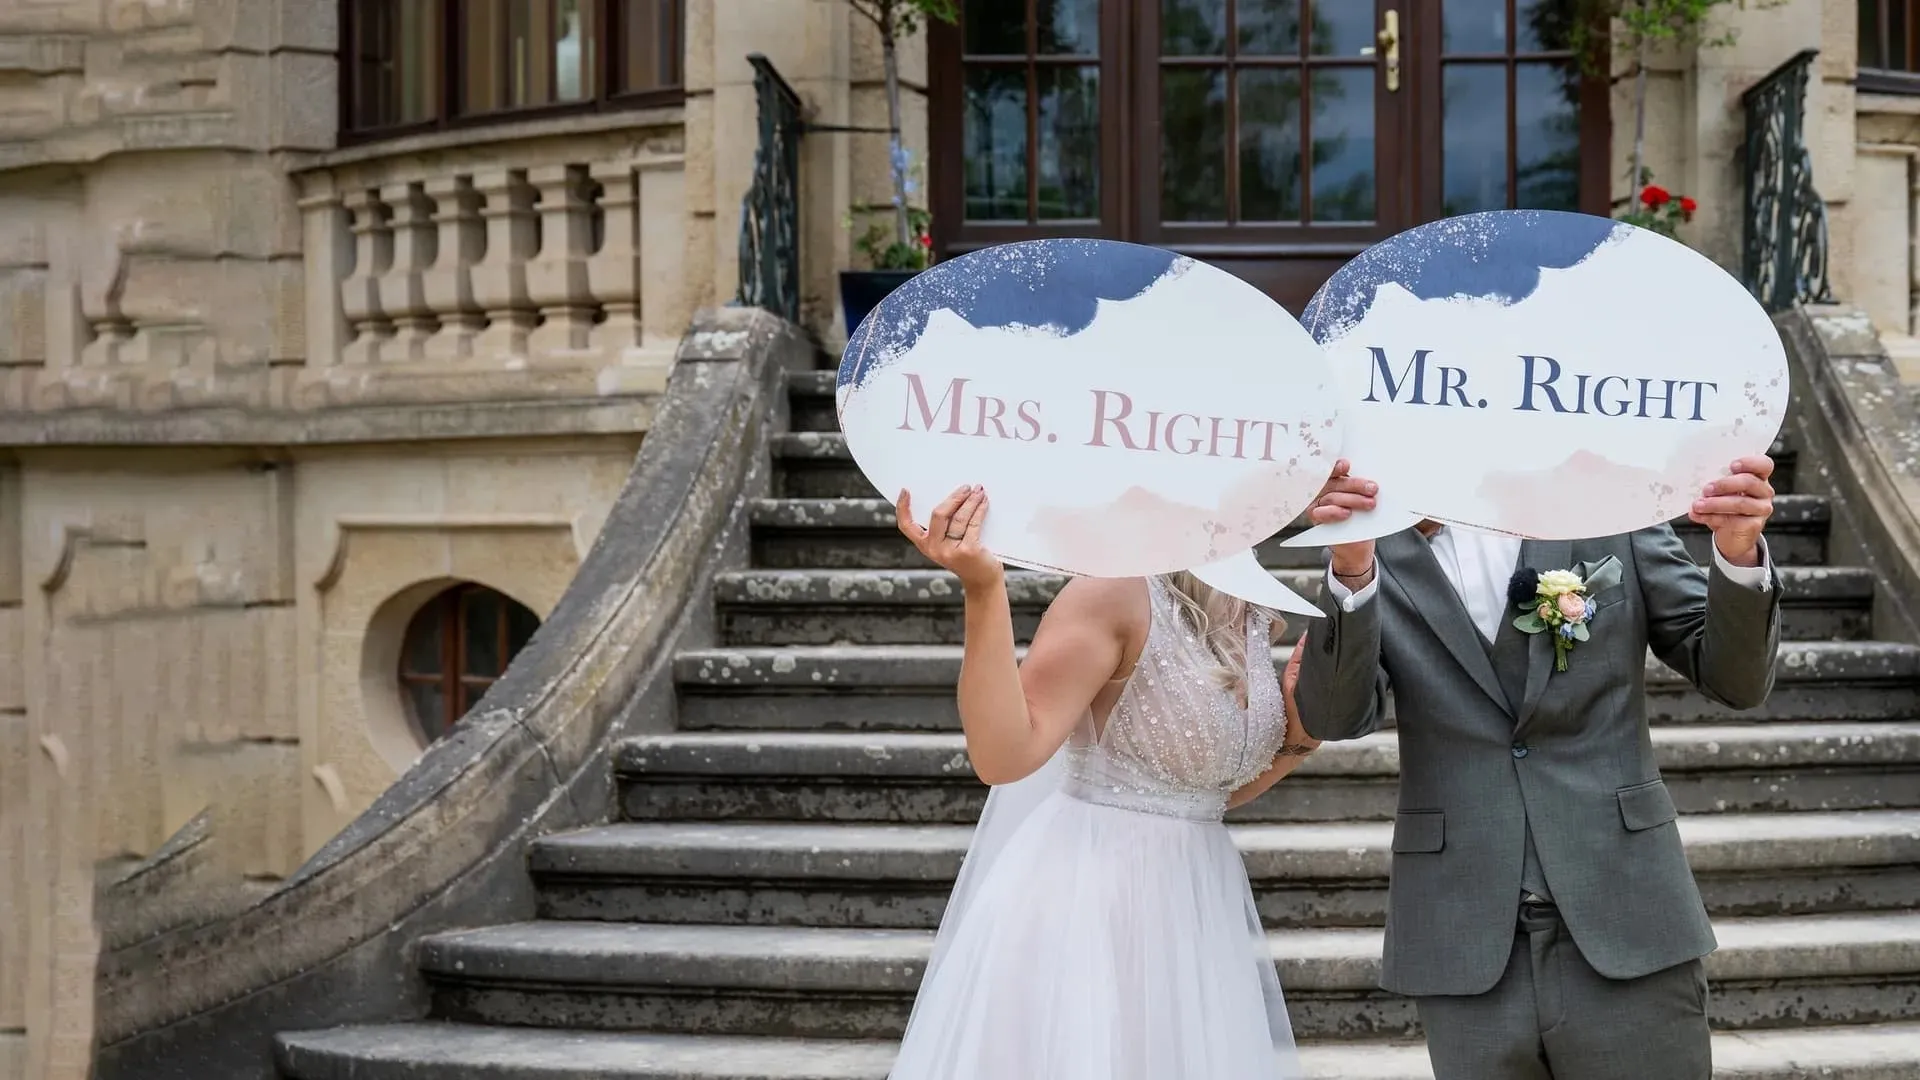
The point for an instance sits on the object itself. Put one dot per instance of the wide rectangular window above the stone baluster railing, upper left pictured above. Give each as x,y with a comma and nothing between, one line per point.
425,64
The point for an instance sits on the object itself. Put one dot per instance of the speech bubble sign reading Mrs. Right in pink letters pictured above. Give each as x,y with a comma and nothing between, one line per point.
1128,410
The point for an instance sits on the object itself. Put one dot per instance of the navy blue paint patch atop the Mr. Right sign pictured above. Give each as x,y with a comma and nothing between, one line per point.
1493,257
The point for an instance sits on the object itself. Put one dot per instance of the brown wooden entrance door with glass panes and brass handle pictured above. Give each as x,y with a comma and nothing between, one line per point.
1270,137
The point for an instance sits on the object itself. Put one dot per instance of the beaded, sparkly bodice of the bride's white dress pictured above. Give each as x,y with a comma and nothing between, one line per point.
1178,743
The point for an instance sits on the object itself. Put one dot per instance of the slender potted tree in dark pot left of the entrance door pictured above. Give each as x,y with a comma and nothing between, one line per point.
901,249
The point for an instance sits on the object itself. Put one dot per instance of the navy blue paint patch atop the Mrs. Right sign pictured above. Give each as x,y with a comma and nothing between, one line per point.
1036,283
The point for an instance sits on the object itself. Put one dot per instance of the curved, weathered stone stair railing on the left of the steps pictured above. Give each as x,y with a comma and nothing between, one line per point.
446,845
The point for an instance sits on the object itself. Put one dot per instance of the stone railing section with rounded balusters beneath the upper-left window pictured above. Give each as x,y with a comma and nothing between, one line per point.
502,266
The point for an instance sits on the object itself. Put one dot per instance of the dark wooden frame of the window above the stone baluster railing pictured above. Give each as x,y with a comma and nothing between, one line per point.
604,95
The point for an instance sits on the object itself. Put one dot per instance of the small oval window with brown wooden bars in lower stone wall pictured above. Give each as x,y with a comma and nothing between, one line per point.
456,647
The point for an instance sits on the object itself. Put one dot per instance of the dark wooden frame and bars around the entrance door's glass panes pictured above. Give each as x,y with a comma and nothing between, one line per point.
1128,51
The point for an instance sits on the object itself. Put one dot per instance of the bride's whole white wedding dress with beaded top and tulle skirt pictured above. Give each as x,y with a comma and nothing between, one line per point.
1103,927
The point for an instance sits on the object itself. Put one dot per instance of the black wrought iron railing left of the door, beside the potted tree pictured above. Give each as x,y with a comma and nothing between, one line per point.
771,214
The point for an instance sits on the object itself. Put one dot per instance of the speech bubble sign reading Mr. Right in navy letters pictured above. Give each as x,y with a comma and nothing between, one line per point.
1541,374
